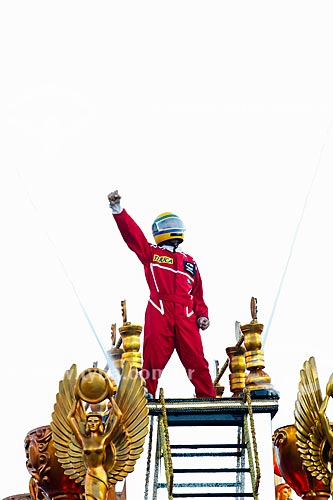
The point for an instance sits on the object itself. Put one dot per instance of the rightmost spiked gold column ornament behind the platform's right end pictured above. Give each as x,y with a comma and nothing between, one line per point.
256,379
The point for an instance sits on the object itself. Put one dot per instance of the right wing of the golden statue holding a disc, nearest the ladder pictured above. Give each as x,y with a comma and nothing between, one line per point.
130,435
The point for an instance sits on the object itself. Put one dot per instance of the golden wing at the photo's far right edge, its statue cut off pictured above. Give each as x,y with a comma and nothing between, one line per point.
311,440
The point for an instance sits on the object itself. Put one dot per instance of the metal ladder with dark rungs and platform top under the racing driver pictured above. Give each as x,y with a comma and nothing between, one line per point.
205,449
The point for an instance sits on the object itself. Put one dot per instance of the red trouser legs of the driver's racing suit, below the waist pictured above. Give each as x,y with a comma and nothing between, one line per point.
163,333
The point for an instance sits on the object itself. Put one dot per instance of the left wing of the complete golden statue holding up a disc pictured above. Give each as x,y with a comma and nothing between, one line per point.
67,449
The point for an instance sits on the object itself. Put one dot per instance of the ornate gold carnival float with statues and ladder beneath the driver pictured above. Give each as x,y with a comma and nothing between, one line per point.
108,441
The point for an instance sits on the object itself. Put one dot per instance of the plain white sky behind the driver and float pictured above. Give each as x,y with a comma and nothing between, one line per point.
218,111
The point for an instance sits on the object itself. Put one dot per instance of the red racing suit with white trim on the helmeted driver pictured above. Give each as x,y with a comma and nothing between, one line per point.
175,303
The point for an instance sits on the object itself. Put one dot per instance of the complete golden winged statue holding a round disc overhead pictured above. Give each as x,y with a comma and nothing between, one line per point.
98,449
